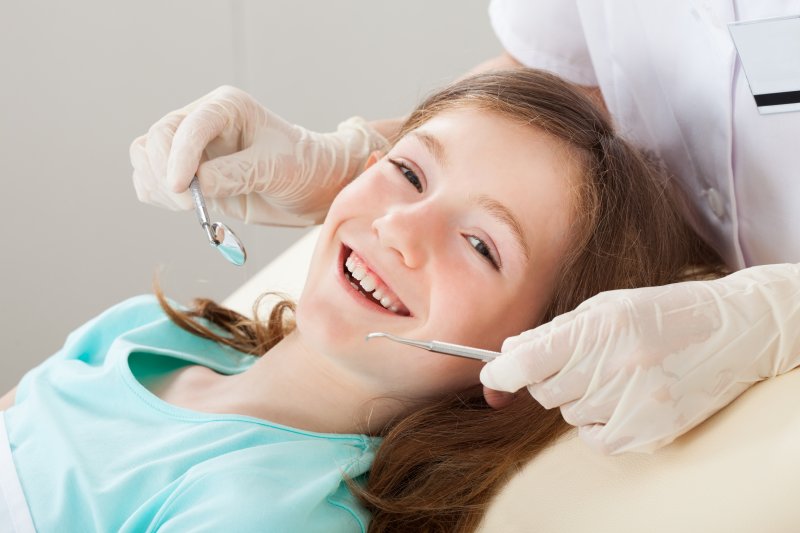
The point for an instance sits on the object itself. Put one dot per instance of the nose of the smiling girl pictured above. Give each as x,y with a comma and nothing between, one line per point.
411,230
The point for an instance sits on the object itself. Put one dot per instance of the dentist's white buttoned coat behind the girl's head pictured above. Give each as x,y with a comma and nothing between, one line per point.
670,76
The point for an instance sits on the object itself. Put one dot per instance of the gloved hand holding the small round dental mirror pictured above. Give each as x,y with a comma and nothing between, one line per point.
251,164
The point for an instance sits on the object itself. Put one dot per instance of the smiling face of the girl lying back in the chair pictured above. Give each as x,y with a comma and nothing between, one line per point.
460,228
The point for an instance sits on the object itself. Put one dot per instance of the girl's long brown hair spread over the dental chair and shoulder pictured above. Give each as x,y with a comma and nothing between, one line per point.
438,468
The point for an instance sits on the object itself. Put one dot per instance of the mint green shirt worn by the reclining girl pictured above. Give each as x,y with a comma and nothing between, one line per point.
96,451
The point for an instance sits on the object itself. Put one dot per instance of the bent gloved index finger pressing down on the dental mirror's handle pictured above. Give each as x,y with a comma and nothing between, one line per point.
193,134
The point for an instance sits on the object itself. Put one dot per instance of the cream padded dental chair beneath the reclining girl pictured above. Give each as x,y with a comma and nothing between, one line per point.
737,472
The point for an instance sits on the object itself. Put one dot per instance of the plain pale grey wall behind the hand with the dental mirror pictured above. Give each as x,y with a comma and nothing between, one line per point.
80,79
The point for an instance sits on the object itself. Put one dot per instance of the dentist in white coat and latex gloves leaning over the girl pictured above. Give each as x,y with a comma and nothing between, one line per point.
632,369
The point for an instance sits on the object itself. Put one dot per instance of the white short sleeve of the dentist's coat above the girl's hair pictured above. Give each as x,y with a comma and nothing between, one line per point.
545,34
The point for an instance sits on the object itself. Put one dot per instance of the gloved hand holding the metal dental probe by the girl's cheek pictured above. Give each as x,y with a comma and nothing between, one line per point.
634,369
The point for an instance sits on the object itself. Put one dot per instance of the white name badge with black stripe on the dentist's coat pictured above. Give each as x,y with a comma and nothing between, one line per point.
769,50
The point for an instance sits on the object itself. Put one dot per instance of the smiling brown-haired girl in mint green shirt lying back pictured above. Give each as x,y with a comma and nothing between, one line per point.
507,200
